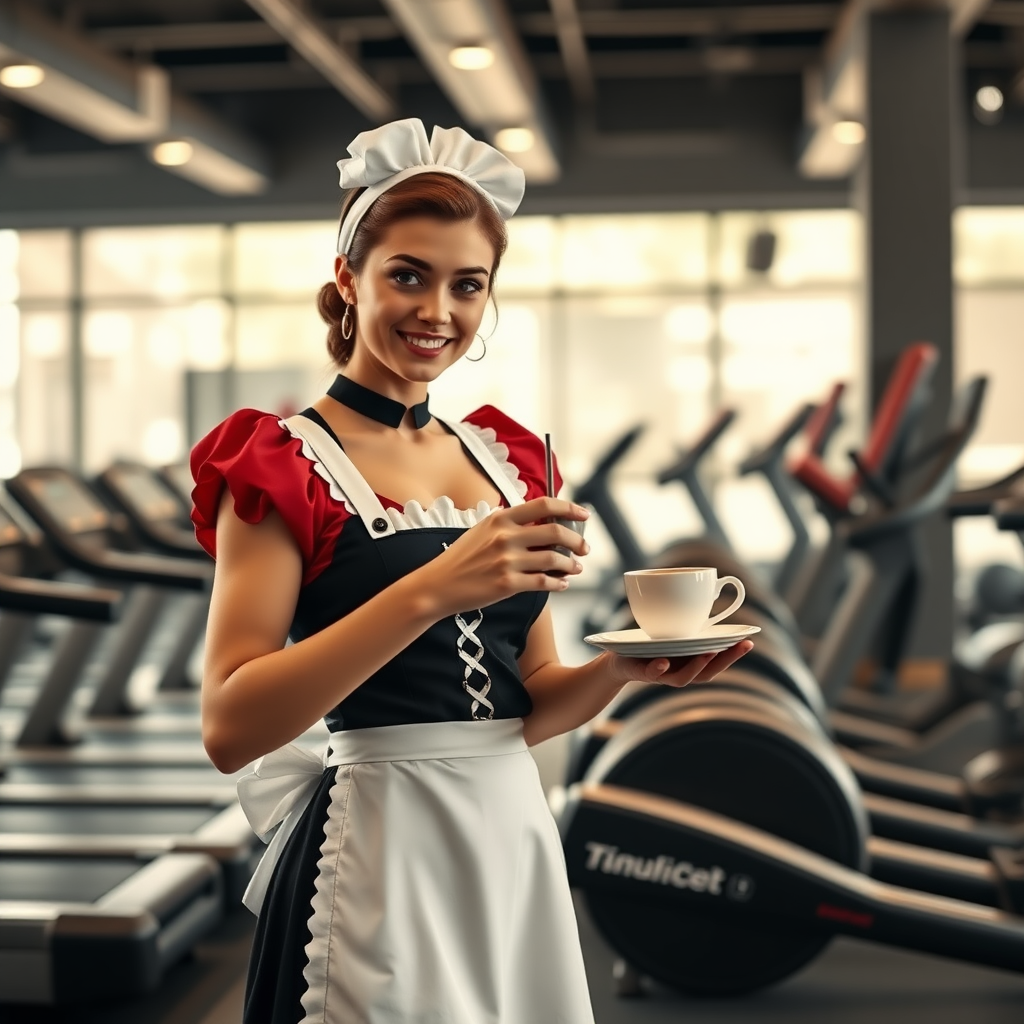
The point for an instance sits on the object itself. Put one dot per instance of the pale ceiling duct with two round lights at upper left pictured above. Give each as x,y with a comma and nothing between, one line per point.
117,102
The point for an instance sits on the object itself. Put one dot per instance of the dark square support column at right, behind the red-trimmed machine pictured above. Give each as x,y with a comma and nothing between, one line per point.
906,188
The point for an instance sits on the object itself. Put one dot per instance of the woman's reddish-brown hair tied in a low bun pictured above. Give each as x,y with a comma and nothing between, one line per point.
430,195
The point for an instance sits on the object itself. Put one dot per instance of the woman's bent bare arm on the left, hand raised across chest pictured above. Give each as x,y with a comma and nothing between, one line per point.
259,695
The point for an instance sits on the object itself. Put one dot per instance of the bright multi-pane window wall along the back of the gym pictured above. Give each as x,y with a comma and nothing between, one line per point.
605,322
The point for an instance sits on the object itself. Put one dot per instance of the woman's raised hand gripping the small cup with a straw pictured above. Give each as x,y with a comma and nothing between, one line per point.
505,554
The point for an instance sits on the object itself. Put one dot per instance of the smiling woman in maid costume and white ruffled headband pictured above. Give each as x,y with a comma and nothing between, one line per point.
415,873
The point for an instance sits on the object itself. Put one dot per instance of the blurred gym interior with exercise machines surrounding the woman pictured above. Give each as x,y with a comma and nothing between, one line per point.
766,294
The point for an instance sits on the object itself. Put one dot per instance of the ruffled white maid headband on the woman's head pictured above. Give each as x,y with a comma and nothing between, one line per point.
383,157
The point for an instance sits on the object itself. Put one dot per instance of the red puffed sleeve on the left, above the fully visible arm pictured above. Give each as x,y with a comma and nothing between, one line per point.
263,466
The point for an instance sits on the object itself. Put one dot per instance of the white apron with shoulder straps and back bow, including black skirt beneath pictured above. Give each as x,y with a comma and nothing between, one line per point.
435,872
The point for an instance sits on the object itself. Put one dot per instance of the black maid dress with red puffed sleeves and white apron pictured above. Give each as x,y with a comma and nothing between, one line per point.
414,873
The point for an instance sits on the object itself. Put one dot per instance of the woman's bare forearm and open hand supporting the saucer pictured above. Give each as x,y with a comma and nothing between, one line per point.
567,698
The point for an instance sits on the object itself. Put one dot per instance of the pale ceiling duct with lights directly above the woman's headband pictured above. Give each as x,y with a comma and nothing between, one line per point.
502,96
